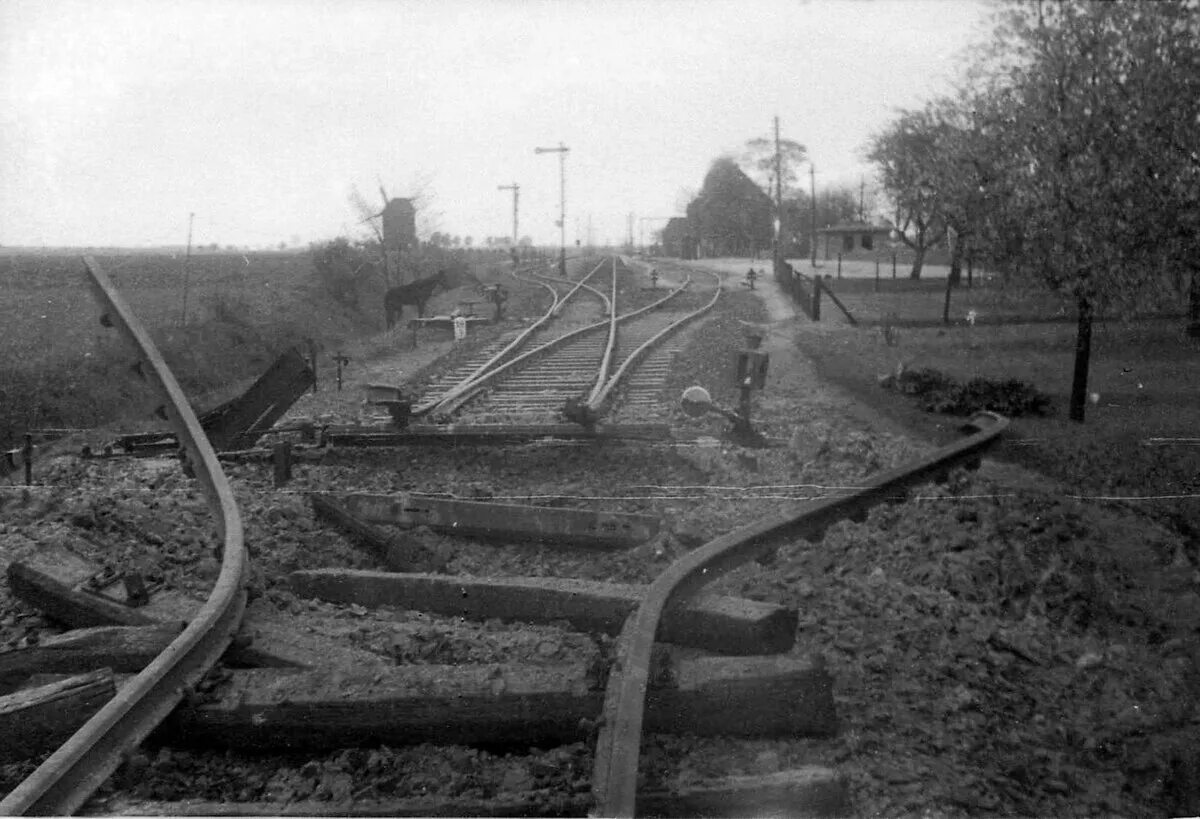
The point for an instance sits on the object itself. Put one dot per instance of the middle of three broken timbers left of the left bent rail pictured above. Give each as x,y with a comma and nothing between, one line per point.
123,649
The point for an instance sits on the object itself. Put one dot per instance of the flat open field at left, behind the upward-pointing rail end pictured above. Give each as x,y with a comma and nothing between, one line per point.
61,368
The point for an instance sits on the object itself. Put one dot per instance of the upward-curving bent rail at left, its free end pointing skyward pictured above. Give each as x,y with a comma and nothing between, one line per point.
64,782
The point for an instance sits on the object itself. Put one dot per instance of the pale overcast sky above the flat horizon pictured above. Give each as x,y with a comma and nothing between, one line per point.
119,119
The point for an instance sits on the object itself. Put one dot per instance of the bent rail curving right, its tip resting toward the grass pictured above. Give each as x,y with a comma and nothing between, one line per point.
615,773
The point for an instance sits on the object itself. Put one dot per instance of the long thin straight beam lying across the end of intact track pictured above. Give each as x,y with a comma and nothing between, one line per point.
488,434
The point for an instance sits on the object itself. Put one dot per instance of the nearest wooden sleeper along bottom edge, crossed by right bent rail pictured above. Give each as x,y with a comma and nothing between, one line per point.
802,792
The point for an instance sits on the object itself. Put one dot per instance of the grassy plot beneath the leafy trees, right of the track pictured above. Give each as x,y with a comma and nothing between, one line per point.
1139,438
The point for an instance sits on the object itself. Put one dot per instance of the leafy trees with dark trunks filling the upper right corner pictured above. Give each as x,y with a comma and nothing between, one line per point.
1069,157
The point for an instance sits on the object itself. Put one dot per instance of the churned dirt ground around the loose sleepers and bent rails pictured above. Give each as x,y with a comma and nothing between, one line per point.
999,647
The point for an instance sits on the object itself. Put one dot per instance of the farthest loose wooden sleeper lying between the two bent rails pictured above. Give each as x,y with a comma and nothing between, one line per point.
503,522
